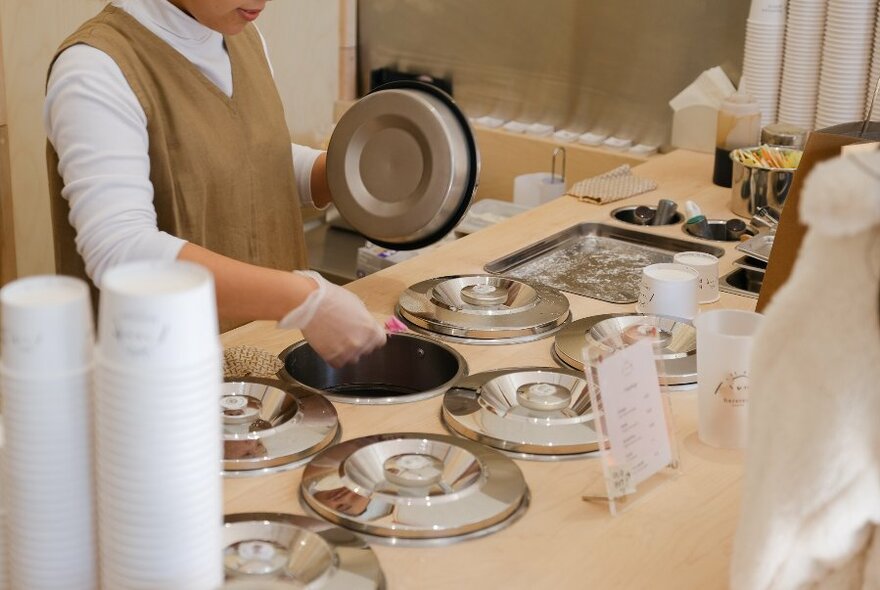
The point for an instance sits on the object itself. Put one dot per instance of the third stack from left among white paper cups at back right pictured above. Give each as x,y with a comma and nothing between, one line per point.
846,57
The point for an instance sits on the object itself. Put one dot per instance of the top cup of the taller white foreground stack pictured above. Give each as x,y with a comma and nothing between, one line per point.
158,315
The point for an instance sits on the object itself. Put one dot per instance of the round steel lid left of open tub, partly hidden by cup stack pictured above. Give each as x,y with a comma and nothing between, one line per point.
269,425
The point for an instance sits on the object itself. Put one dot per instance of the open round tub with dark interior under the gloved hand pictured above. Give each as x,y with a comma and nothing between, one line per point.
408,368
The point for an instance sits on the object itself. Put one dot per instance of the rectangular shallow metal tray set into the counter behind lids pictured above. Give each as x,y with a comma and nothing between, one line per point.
594,260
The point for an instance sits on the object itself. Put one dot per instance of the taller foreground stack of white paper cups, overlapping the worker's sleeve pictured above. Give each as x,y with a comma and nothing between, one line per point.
158,429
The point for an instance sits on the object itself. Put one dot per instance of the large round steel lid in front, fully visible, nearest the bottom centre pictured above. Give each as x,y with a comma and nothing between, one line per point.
415,487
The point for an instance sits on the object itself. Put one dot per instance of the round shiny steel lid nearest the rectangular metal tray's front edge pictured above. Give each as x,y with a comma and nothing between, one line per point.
483,309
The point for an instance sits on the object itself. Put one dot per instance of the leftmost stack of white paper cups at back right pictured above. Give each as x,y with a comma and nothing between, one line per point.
762,56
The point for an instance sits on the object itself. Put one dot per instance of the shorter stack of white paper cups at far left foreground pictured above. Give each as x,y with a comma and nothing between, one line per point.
45,375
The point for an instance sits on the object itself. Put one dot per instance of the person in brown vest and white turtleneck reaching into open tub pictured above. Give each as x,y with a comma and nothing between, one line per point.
167,140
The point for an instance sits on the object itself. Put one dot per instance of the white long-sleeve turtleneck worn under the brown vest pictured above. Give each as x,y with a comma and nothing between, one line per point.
99,130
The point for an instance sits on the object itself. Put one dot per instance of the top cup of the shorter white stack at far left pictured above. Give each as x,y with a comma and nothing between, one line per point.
47,325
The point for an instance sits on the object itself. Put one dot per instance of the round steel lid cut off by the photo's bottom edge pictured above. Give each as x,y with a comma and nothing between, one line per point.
297,552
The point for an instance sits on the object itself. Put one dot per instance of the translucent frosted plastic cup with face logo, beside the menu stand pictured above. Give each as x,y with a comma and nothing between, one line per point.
724,345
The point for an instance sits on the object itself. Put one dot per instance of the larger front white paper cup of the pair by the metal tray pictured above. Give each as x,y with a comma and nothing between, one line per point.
669,289
